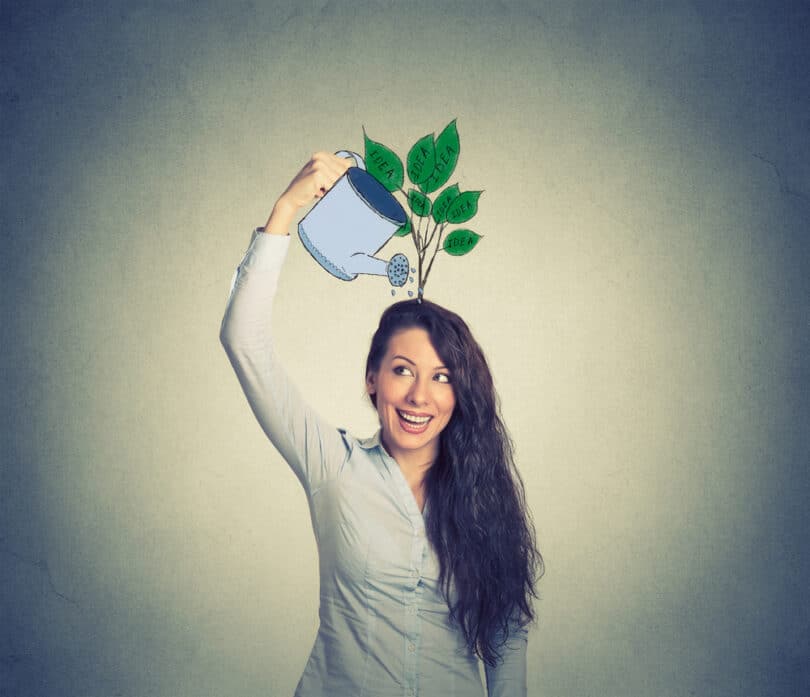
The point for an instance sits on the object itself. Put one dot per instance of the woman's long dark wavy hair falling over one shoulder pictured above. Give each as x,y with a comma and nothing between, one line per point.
476,514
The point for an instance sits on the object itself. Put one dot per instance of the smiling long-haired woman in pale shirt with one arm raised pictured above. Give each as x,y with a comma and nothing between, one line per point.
426,553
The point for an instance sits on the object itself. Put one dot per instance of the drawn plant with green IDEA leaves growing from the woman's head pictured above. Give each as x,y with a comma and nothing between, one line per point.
429,166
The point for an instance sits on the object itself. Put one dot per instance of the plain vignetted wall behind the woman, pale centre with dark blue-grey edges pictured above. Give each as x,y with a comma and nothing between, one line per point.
641,291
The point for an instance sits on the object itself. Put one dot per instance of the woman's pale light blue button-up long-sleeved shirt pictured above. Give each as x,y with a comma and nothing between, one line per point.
384,626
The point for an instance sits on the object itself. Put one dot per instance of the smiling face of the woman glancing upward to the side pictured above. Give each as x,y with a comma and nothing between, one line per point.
414,394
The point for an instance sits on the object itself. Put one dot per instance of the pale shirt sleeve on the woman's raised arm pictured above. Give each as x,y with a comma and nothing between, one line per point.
314,449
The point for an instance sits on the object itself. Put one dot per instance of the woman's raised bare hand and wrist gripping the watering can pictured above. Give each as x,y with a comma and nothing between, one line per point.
315,178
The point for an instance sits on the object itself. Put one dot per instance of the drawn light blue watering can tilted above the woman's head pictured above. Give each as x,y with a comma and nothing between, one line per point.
351,223
